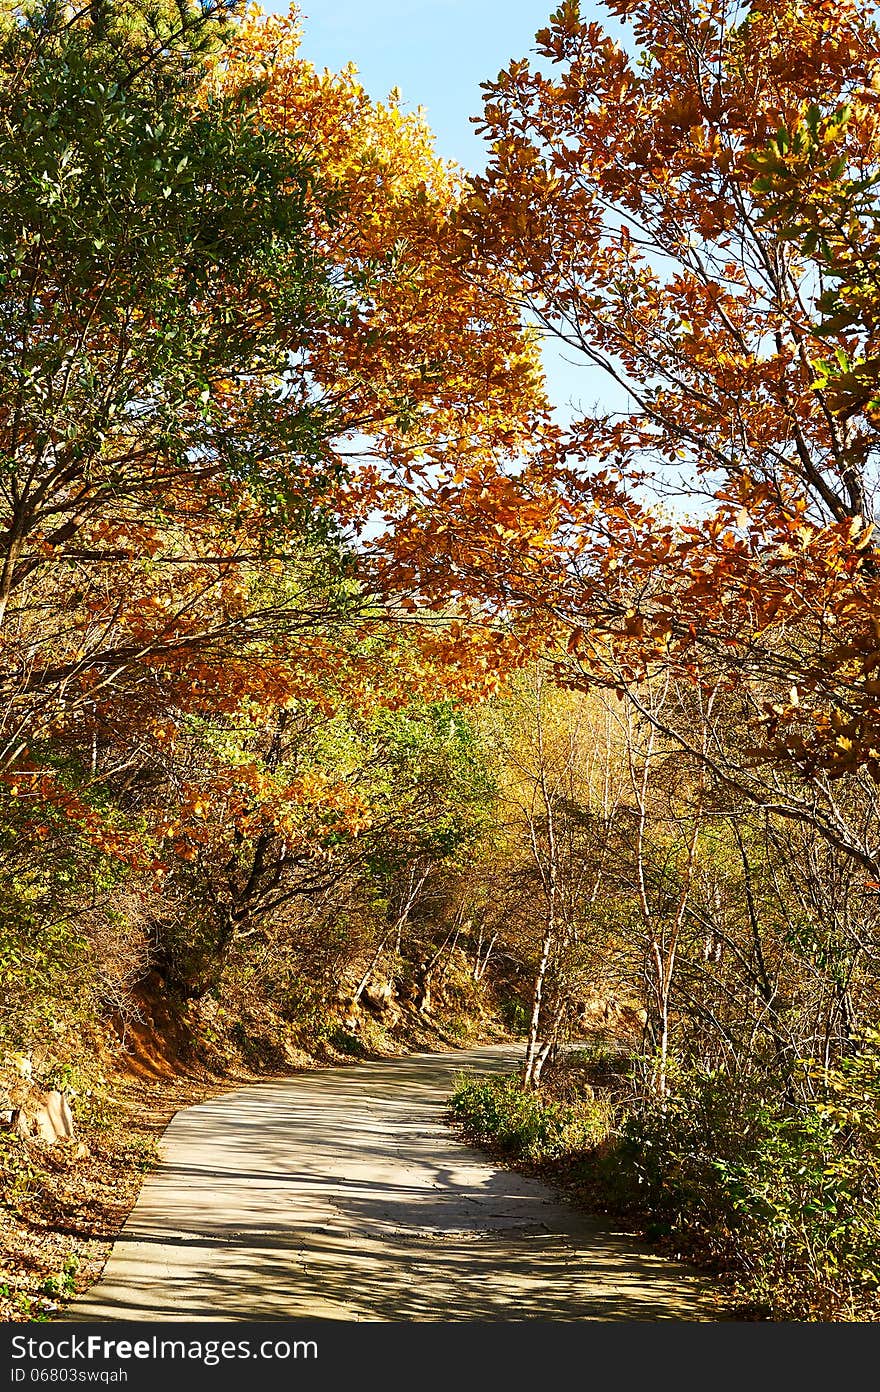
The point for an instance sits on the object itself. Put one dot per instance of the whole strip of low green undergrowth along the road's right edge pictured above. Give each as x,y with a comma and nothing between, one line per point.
783,1202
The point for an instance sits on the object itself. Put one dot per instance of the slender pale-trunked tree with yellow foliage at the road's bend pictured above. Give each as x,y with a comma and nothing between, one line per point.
562,779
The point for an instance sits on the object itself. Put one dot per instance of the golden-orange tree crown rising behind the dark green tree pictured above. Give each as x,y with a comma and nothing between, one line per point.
430,367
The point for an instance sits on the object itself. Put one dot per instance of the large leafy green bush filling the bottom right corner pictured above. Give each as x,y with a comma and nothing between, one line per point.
786,1194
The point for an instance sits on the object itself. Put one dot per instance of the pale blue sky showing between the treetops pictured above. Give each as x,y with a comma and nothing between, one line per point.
438,52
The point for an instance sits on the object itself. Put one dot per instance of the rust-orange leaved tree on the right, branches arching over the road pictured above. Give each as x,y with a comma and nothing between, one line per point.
626,209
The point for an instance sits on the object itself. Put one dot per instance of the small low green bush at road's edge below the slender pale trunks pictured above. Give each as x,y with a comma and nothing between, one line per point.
527,1125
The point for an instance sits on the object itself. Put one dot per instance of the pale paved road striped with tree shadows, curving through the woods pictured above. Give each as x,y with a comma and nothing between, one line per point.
342,1195
